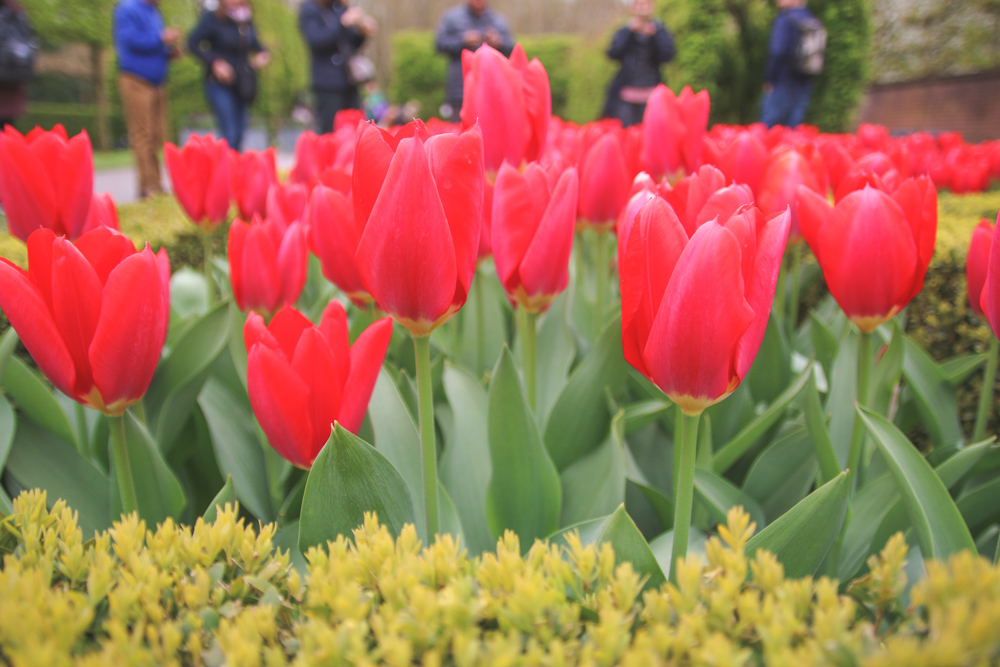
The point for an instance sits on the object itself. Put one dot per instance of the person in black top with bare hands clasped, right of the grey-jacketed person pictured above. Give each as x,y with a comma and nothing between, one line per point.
642,46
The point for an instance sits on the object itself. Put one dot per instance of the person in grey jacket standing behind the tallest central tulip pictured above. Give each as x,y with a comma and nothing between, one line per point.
468,26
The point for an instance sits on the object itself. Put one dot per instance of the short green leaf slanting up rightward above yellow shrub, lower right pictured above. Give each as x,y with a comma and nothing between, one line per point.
801,537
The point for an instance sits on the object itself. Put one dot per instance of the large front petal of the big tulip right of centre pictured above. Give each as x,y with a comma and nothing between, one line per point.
702,316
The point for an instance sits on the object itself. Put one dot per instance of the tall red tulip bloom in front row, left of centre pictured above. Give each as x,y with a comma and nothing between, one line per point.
417,255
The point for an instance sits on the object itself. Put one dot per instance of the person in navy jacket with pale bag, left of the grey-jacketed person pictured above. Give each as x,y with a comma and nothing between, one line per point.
334,31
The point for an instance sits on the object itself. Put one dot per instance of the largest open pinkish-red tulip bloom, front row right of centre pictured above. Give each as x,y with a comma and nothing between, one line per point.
694,308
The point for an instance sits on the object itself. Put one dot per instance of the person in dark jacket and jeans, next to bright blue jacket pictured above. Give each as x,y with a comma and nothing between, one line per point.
226,41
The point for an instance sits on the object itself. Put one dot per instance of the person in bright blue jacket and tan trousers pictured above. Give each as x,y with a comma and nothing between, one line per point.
144,47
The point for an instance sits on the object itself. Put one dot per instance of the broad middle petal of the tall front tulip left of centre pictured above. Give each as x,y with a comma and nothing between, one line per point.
406,255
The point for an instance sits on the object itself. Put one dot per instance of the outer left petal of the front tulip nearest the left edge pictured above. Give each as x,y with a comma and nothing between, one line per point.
28,313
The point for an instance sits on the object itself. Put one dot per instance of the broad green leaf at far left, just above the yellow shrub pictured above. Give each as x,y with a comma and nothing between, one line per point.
40,460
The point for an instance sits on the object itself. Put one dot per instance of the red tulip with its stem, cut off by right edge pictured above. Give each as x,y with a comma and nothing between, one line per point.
982,269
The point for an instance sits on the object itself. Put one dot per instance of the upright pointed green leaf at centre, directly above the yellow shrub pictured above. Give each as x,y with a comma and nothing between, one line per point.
524,492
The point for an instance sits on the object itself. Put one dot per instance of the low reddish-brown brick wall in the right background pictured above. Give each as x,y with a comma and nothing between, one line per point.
968,104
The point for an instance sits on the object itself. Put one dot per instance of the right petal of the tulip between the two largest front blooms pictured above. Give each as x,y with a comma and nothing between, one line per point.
545,268
